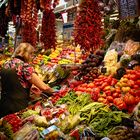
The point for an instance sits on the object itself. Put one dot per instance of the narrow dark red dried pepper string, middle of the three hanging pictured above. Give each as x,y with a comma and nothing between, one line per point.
48,31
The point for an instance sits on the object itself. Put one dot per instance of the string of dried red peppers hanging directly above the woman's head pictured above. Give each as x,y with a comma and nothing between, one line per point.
29,21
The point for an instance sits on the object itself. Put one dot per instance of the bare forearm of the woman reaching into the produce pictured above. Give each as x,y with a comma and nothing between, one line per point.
40,84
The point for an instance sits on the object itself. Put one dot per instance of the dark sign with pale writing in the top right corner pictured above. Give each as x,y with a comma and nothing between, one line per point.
128,8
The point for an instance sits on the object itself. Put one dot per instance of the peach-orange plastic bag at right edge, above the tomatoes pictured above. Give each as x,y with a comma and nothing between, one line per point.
131,47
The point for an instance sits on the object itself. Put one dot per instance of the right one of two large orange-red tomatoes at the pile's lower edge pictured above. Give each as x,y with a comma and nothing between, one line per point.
129,99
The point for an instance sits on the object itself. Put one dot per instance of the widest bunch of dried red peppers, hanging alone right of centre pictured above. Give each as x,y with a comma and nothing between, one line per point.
88,31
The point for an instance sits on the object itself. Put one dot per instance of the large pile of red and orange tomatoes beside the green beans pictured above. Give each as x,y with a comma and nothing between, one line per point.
111,91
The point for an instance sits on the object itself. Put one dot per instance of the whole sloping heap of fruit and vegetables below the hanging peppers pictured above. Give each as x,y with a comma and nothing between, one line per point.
89,103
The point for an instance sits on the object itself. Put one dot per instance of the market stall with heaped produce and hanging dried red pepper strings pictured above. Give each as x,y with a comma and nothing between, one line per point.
96,78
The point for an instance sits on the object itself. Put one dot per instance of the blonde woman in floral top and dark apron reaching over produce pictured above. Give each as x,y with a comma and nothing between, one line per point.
17,77
